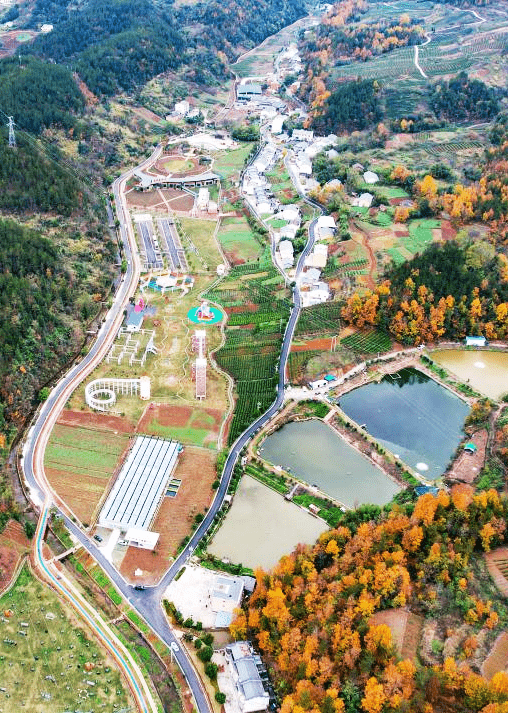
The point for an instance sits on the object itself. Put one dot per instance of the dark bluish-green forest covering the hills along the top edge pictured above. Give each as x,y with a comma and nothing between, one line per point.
121,44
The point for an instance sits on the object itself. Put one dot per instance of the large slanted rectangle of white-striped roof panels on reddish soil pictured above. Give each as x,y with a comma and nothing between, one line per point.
134,498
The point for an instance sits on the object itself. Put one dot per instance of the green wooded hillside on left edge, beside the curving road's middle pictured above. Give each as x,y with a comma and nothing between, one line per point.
48,289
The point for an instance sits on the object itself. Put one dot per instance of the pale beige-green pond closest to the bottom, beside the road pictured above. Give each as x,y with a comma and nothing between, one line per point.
261,526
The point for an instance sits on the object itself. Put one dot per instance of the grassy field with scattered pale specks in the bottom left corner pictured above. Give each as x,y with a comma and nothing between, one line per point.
43,669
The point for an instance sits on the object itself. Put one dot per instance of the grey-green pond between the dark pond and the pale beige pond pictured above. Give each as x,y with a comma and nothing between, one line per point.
313,452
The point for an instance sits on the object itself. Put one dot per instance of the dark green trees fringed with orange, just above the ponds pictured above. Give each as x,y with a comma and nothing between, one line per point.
448,291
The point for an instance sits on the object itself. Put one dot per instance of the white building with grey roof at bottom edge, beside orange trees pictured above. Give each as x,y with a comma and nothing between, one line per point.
245,667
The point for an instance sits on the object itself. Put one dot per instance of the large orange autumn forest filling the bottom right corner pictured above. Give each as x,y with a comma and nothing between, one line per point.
311,616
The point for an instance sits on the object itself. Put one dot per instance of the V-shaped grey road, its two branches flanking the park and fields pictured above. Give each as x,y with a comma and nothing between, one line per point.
148,602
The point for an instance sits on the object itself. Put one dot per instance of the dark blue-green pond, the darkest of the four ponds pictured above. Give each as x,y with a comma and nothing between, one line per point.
413,416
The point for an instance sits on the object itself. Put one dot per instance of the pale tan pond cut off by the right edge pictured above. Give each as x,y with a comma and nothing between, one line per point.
486,372
